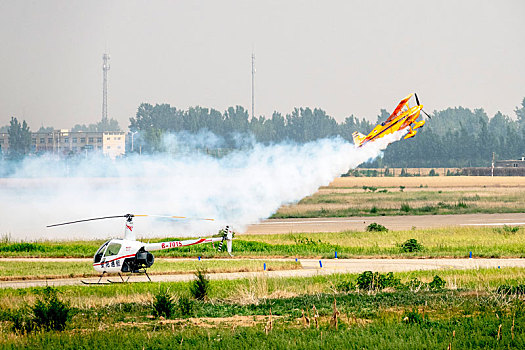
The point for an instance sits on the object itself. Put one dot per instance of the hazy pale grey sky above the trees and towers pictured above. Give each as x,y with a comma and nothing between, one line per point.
346,57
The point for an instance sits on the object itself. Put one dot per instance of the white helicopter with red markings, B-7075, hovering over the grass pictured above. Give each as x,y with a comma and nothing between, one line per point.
132,256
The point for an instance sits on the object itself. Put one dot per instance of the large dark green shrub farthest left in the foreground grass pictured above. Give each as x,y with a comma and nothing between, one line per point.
50,313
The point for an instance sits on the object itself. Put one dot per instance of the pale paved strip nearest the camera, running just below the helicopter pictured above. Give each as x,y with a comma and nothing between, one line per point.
311,267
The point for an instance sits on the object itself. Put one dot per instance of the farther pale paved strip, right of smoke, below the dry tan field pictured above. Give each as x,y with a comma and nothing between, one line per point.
275,226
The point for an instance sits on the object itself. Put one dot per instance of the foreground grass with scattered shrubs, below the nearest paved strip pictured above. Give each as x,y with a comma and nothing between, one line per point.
468,313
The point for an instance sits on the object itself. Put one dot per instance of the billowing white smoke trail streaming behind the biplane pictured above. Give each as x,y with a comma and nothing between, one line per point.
239,189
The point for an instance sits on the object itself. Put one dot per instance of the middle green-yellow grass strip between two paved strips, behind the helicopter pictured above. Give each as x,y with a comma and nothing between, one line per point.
437,242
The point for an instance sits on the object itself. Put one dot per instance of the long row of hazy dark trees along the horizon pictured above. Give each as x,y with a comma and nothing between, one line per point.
455,137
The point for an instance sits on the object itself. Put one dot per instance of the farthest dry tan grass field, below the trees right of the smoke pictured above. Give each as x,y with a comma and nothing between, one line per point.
374,196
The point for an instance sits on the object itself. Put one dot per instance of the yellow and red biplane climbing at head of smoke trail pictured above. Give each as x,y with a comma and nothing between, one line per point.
403,116
